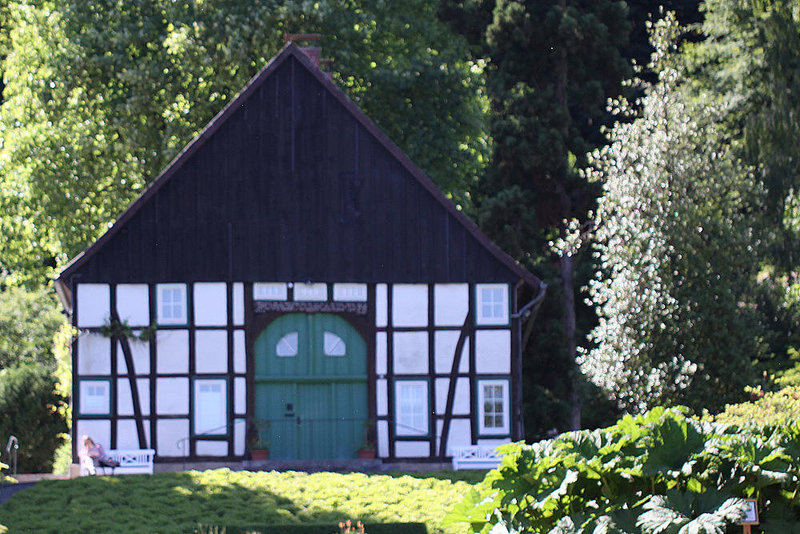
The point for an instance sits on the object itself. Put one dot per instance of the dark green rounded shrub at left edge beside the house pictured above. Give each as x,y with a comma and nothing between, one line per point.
30,408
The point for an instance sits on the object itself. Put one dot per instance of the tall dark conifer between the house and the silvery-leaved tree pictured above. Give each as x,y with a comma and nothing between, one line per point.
551,65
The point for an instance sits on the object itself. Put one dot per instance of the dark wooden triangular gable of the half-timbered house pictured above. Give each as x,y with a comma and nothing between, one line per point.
291,182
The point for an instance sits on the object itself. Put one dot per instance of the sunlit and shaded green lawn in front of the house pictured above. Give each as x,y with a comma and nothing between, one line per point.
178,502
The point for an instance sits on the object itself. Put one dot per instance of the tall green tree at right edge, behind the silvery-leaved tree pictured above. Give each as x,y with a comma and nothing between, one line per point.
750,57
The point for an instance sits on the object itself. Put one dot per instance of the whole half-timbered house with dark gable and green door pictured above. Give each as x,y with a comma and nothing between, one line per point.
295,273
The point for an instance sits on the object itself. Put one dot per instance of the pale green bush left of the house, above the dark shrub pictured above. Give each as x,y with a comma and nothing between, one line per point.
28,322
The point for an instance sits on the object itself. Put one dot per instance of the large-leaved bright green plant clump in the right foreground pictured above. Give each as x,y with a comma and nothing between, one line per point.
662,472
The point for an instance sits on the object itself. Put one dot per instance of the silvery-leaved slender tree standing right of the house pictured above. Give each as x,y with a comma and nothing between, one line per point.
676,250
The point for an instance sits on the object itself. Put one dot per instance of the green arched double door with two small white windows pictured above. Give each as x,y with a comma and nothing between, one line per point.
311,387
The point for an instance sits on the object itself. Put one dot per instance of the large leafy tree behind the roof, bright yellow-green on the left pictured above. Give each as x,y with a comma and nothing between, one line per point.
99,98
